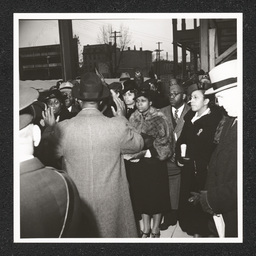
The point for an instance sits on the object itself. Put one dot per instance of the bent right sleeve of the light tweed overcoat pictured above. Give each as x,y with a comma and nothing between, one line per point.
131,141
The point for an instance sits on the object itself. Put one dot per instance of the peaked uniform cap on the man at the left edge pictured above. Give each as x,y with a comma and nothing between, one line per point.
27,97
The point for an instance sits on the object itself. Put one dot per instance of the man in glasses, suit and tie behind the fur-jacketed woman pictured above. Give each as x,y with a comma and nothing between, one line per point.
174,113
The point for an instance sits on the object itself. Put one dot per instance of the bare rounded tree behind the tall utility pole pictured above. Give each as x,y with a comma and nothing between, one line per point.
123,39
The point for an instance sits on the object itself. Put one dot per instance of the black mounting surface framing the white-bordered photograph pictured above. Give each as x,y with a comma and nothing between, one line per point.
248,8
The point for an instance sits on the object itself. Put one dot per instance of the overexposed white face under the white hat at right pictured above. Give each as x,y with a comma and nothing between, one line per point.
228,99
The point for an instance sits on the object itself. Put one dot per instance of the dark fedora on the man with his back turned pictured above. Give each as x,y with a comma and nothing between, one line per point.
90,88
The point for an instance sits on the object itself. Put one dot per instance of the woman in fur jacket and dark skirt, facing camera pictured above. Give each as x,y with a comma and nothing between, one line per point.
148,169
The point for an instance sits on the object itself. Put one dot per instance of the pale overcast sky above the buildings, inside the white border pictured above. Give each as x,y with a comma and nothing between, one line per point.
144,33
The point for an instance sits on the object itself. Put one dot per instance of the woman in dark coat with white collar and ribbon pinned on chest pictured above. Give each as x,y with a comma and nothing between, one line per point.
198,135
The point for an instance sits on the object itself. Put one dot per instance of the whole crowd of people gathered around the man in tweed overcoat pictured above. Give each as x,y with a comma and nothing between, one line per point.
124,160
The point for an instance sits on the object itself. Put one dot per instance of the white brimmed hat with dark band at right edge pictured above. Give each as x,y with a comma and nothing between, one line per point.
223,76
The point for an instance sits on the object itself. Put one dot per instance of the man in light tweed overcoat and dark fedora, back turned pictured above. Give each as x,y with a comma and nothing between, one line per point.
91,146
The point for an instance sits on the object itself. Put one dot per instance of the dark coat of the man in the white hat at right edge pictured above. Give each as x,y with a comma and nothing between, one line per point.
222,177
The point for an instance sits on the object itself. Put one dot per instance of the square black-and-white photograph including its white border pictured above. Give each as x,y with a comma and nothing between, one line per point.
128,128
